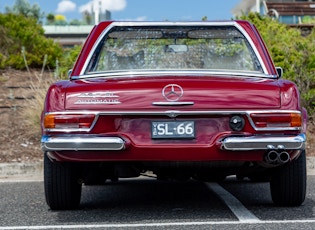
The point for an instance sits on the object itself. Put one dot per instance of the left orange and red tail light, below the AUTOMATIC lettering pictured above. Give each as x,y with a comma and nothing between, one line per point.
57,122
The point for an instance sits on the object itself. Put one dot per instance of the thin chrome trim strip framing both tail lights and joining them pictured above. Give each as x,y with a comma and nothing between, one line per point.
176,113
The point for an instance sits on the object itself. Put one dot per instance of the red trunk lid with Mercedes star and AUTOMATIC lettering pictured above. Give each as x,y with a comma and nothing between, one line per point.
173,92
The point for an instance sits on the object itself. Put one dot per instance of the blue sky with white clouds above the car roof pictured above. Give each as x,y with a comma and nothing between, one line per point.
139,10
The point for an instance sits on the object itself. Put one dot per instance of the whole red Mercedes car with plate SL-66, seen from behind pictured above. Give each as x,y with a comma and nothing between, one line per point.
181,100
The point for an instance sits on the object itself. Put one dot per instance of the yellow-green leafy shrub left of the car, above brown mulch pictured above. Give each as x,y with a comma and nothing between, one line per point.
18,31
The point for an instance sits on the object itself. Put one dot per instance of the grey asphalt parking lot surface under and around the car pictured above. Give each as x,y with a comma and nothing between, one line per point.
146,203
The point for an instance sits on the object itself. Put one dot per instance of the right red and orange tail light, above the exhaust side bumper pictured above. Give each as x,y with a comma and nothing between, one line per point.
277,120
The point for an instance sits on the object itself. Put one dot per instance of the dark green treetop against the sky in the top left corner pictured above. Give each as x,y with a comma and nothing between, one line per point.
24,8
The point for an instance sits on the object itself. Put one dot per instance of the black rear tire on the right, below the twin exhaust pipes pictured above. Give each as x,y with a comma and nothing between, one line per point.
288,183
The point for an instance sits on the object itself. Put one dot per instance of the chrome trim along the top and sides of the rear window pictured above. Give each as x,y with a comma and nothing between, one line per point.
226,23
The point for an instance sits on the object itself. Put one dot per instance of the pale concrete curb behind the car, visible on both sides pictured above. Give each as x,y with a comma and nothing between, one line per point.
34,171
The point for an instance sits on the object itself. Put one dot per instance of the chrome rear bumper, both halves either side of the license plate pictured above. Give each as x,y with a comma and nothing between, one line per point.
229,143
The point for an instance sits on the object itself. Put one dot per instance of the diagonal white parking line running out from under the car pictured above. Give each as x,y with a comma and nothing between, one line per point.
239,210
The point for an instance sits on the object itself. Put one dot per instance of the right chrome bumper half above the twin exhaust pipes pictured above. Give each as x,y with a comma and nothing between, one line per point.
264,143
